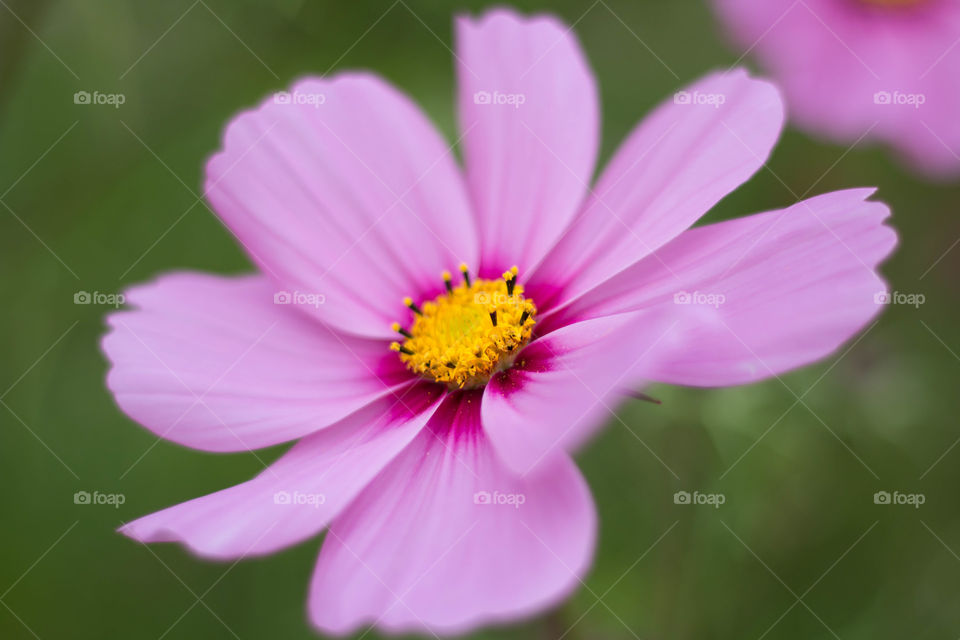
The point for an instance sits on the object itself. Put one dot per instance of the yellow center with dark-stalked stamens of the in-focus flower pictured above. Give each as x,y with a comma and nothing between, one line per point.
464,336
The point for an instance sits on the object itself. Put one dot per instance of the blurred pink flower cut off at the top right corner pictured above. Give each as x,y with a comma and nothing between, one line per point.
882,70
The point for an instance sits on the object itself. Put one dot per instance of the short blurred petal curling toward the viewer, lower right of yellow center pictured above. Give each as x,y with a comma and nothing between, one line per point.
568,383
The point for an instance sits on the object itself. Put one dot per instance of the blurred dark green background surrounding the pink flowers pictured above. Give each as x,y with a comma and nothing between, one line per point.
96,198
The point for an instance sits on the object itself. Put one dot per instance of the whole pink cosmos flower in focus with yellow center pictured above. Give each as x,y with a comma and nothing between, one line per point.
435,452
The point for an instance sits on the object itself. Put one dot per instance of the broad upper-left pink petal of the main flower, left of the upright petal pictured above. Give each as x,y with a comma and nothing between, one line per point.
358,199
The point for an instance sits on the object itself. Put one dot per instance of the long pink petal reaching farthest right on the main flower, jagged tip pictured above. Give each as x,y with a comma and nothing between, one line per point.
796,284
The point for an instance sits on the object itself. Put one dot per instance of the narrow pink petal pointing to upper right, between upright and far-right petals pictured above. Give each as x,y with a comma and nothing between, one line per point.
678,163
